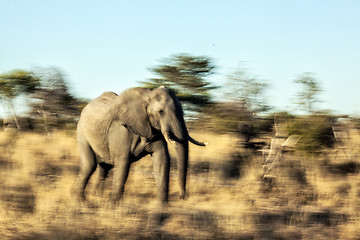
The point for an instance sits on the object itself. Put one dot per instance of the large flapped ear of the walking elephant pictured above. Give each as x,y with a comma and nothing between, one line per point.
130,110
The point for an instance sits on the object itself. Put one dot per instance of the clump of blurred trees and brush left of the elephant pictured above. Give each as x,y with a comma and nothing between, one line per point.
50,103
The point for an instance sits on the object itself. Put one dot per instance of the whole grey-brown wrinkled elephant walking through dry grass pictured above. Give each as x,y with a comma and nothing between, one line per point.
117,130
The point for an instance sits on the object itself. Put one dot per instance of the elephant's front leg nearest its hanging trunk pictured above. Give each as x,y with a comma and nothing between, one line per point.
161,162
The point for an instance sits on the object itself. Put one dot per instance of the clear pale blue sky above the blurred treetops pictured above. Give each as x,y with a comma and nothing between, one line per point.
109,45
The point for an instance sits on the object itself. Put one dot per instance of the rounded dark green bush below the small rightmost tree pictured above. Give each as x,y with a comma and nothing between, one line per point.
315,131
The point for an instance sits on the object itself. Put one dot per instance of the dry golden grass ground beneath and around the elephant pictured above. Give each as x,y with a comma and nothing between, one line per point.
306,197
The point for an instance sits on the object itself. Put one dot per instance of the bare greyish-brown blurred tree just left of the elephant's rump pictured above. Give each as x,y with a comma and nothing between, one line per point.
53,100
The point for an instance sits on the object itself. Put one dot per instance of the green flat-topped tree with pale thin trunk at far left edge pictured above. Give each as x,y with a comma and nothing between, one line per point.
14,84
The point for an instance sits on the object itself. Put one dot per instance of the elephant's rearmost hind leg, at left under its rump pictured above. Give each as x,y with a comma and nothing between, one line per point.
87,167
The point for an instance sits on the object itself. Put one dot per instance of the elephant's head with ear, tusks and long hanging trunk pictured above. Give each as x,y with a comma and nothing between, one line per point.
159,110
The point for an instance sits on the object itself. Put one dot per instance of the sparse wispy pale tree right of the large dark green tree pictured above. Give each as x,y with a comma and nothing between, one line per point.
247,90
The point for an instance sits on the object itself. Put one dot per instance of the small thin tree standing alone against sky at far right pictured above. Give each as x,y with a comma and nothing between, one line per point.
308,90
